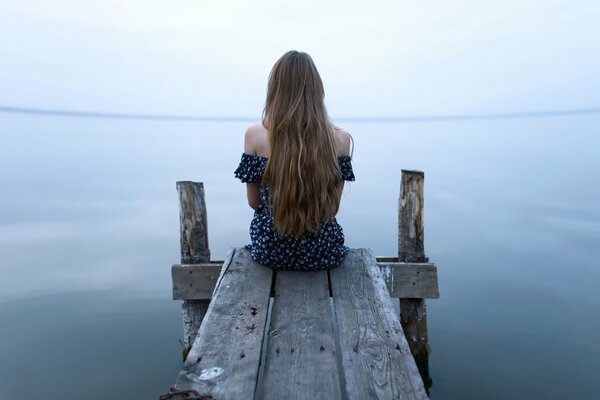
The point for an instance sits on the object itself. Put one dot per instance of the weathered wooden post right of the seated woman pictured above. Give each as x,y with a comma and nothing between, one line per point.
411,235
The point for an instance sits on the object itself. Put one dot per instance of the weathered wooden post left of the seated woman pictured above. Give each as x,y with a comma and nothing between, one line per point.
194,250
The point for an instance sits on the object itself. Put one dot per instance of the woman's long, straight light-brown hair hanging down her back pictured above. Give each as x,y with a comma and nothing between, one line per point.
302,173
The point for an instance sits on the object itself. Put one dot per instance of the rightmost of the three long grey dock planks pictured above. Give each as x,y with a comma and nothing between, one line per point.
375,355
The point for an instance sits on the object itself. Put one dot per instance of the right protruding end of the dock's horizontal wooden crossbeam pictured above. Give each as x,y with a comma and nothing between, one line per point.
410,280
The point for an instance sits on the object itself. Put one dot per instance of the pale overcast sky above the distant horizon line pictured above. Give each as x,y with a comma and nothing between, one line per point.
375,57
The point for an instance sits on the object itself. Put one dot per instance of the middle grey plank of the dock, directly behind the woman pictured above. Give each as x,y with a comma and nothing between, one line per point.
301,358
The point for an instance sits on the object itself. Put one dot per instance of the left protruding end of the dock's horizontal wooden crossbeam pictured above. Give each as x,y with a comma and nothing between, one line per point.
194,281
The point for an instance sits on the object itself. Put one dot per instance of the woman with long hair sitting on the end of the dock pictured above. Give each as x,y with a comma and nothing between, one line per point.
294,166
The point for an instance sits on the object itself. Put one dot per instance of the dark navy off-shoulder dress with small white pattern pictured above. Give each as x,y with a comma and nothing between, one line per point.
310,252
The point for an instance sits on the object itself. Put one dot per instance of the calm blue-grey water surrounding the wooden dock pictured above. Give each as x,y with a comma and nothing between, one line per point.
89,230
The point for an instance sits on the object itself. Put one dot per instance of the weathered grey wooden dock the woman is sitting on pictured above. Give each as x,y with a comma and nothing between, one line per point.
268,334
